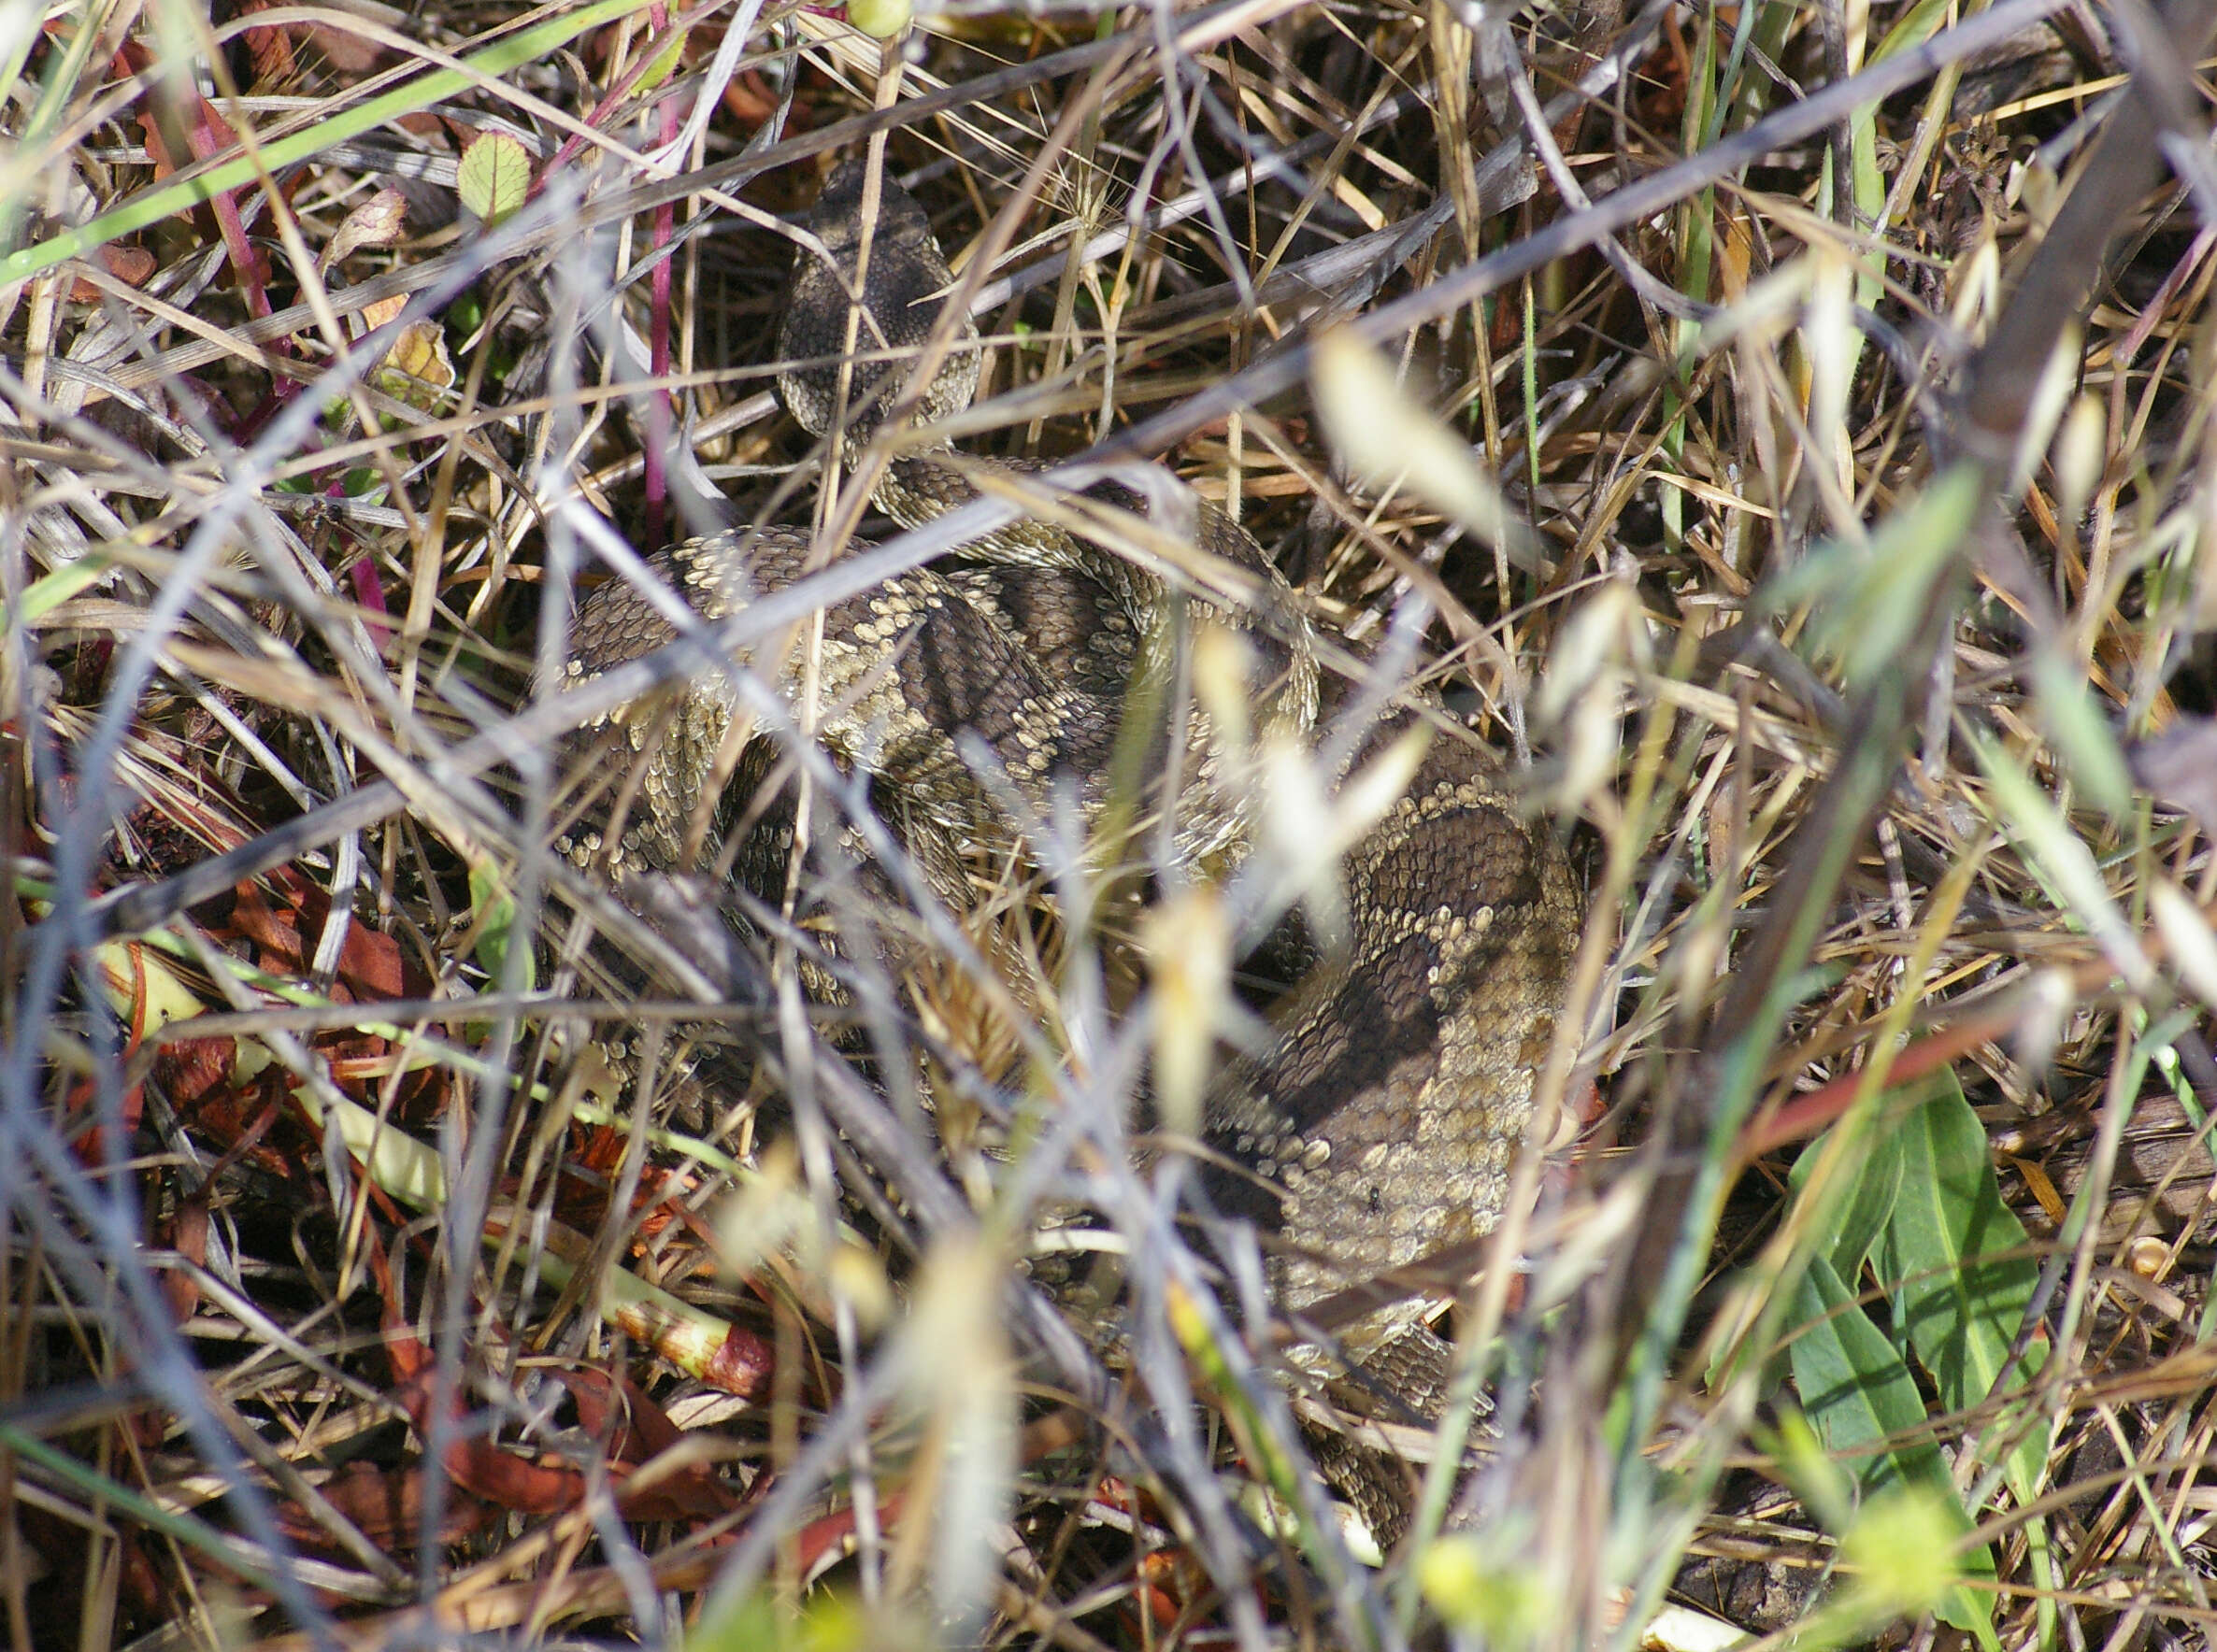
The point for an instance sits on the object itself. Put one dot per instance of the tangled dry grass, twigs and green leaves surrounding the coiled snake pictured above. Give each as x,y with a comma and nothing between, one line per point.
1784,431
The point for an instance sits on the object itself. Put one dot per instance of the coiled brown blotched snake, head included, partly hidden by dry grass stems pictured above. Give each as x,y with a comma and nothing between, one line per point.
1382,1121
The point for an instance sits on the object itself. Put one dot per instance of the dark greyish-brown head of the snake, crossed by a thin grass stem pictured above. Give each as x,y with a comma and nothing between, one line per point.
901,298
